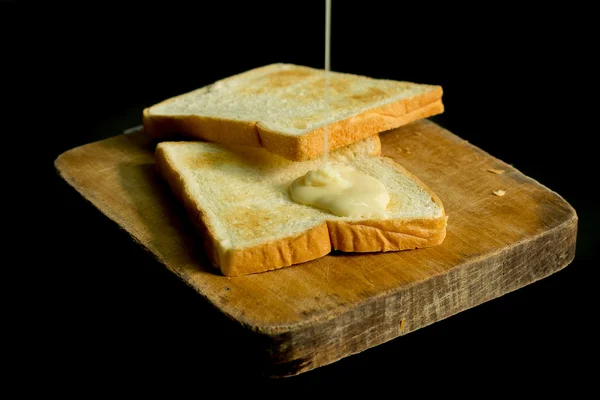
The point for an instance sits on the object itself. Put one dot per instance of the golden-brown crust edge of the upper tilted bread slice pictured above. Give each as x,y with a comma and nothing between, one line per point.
296,147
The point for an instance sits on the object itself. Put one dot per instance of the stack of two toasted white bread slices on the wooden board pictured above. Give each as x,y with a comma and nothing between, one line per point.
230,150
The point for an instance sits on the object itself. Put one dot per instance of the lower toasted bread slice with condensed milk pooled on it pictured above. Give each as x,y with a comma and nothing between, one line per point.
239,199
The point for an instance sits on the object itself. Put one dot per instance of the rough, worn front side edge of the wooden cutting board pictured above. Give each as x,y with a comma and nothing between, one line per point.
510,269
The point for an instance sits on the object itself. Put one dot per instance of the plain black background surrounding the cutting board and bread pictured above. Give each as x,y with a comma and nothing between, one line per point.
516,82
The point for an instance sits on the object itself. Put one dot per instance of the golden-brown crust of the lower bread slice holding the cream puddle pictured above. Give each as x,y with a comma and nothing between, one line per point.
348,236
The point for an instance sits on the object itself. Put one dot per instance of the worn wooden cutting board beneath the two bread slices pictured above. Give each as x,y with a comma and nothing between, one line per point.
305,316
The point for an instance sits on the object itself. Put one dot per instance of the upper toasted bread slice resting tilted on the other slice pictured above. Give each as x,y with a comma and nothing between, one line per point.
280,107
